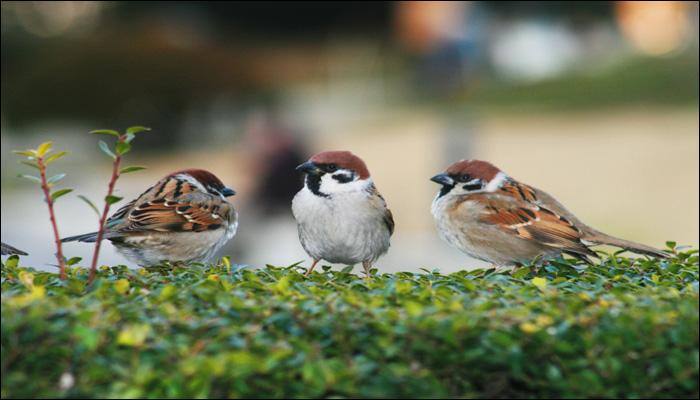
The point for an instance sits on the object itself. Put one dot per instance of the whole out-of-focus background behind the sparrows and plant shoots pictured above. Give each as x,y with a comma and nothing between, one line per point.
594,102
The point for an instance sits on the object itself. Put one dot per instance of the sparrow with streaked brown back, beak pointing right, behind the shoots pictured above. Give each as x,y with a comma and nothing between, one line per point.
184,217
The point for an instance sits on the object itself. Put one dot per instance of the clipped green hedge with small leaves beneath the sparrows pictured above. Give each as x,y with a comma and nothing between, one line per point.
624,328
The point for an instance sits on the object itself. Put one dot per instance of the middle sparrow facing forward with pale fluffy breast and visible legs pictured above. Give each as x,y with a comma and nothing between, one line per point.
341,217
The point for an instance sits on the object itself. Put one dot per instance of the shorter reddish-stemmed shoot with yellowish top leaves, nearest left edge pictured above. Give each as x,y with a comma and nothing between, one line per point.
40,158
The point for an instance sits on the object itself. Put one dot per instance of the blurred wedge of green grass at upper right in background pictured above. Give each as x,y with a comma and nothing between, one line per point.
633,82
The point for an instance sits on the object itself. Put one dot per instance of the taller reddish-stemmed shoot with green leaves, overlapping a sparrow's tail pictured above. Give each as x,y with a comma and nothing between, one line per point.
120,148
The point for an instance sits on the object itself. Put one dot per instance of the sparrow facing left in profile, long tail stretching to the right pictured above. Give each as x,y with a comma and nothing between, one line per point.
490,216
